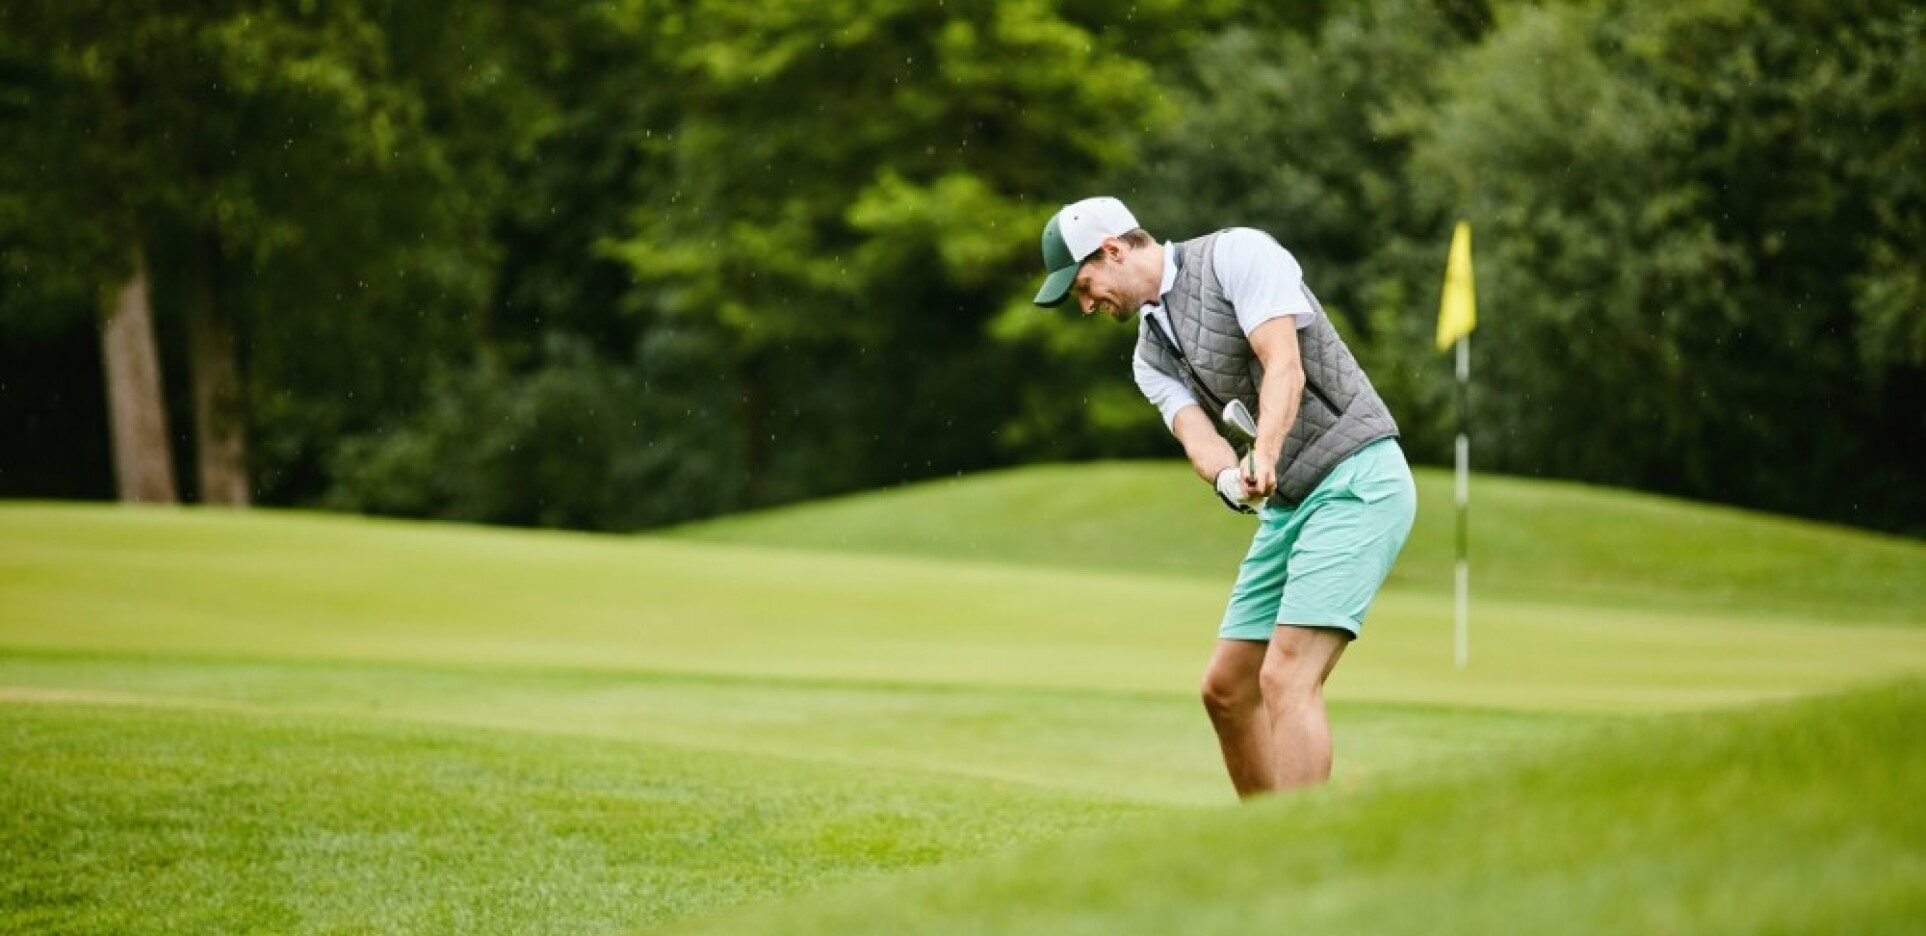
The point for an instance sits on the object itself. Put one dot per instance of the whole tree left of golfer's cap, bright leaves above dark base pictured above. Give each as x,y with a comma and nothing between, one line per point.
848,194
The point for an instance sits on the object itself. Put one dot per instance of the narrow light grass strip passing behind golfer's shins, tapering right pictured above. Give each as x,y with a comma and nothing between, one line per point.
1130,748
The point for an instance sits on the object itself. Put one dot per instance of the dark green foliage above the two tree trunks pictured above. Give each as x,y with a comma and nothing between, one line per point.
299,120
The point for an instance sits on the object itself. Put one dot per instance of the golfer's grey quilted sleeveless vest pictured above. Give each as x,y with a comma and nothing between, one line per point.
1340,411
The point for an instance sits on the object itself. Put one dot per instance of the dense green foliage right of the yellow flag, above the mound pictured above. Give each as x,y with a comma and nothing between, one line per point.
1675,215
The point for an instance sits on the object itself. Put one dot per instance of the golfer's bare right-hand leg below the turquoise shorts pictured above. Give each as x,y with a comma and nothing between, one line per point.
1293,675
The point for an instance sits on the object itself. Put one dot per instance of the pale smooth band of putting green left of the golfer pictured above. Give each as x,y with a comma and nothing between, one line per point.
344,588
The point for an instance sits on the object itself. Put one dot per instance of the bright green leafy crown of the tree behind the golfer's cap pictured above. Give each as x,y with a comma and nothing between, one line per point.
806,132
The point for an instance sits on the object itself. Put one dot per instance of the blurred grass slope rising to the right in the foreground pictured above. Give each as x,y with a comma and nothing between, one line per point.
1779,819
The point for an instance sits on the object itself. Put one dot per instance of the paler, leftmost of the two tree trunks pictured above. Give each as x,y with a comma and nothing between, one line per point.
143,459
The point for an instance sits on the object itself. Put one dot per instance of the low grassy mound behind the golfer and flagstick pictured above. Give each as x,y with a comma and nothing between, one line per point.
1530,540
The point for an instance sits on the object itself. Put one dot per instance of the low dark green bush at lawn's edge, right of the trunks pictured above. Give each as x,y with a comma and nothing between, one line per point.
571,444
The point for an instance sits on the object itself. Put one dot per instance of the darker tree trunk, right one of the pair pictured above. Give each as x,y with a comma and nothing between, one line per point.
221,438
